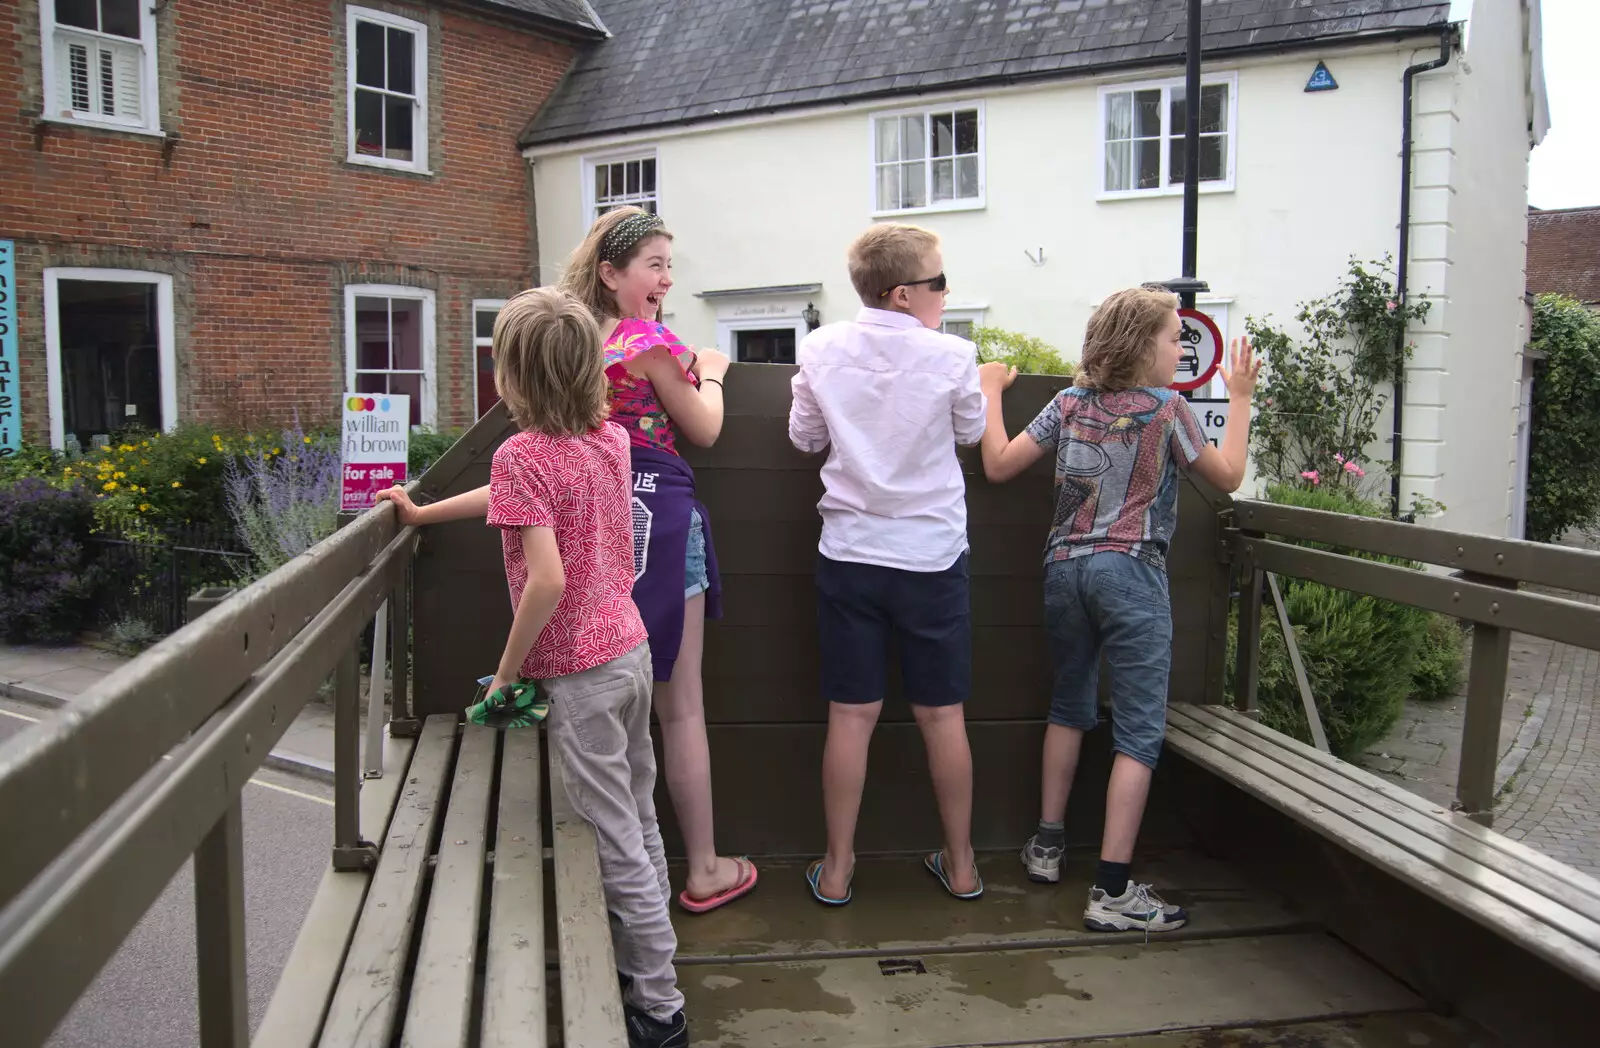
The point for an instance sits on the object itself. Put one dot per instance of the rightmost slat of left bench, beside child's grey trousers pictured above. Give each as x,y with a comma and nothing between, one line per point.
591,999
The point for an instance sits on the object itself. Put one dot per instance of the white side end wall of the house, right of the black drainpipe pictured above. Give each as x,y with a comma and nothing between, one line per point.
1470,252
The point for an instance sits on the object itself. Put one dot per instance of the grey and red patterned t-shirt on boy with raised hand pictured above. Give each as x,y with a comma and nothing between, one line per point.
1118,458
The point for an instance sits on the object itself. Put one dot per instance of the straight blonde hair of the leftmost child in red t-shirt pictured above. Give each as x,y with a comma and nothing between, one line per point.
548,364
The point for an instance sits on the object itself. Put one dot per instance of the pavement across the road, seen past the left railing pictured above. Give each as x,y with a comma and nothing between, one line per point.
55,676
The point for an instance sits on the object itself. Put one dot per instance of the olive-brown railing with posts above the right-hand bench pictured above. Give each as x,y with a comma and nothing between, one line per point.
1486,591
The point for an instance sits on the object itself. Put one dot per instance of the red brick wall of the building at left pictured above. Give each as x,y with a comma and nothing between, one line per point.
257,214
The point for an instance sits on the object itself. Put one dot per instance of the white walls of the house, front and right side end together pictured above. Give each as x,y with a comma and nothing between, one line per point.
761,204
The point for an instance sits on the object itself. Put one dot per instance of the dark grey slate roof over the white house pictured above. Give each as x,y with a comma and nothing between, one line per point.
702,58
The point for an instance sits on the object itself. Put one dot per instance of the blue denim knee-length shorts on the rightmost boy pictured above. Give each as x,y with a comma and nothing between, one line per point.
1114,606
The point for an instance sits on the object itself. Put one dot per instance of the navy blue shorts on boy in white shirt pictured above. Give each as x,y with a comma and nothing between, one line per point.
927,614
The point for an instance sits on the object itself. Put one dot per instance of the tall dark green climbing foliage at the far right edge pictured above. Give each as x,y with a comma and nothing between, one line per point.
1564,482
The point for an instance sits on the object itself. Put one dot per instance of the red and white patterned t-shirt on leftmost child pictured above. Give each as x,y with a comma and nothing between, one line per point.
582,489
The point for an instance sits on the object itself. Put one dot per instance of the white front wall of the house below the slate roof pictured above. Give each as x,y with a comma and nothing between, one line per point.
777,204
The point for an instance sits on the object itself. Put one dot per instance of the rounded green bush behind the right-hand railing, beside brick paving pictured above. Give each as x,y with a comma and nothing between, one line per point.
1364,657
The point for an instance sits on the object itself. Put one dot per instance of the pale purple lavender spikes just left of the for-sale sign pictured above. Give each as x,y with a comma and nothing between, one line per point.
284,498
